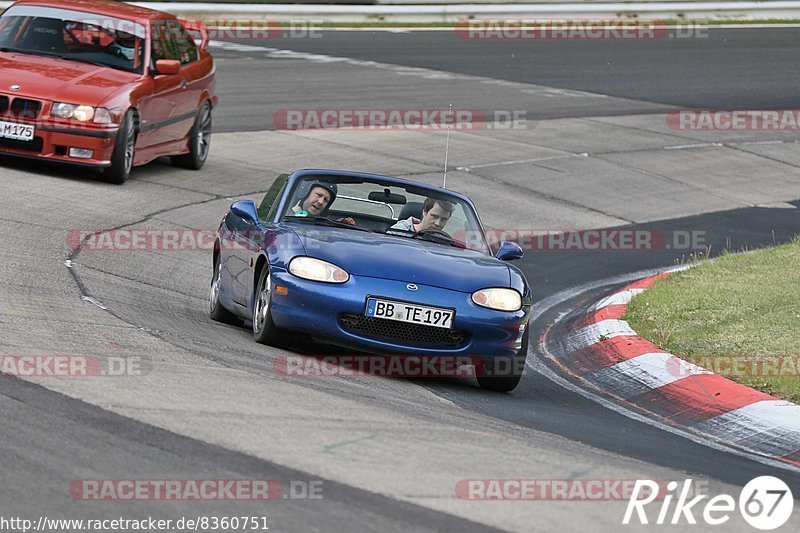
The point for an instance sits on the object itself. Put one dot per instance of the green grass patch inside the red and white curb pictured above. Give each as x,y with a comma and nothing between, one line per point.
738,316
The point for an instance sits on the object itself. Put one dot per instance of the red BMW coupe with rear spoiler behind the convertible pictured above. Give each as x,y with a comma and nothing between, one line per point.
104,84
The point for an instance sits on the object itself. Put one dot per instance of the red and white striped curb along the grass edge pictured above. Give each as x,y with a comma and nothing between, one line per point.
604,351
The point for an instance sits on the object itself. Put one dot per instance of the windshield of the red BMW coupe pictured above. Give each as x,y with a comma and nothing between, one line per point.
74,35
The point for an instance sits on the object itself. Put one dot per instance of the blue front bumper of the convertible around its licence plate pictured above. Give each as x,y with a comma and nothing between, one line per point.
327,312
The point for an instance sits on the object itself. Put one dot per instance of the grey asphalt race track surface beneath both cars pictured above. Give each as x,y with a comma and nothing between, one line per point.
596,151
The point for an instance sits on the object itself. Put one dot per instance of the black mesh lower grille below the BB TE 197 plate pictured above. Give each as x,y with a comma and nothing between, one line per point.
403,332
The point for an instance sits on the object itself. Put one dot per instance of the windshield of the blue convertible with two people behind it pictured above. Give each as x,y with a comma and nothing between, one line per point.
391,209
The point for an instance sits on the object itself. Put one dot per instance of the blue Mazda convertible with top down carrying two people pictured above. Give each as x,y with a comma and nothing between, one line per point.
373,263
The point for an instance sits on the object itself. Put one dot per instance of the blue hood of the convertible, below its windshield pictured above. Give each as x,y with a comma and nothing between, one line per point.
403,258
